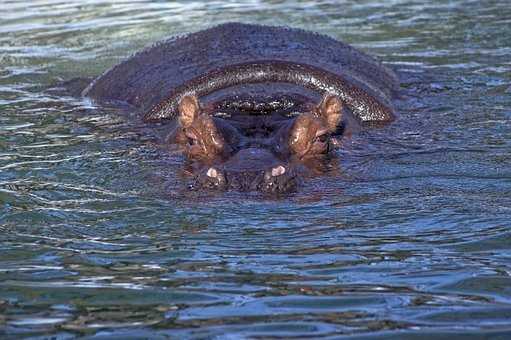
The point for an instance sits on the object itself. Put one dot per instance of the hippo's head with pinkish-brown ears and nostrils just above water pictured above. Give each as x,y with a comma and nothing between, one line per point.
266,153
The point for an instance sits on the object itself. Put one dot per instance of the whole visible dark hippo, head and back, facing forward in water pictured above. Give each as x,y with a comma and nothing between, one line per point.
252,107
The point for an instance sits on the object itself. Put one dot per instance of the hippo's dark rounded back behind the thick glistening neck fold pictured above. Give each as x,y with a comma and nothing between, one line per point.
147,78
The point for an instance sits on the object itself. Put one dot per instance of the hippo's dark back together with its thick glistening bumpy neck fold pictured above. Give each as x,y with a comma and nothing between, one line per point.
230,54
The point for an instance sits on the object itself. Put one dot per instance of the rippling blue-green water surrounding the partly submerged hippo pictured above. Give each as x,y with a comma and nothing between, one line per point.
409,237
